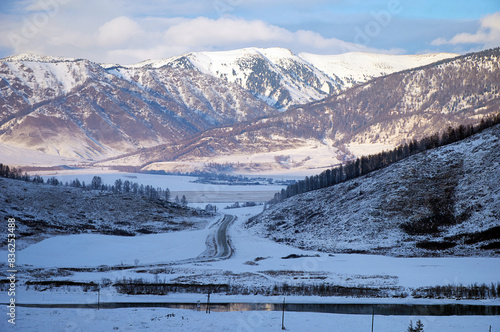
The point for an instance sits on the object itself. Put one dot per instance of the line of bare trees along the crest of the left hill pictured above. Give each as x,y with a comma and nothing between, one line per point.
120,186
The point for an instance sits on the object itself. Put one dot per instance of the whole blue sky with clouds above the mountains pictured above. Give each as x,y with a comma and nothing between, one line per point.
130,31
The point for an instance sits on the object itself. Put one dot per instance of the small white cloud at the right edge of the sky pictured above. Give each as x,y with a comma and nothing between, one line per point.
488,34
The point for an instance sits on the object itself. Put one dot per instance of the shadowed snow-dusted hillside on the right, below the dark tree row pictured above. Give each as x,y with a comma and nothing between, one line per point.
391,211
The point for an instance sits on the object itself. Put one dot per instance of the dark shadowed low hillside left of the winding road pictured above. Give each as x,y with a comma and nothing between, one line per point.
44,211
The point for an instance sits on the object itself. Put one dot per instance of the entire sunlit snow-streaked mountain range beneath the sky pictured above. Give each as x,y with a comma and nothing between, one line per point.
207,105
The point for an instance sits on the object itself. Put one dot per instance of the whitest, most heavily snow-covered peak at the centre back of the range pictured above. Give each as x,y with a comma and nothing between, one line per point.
282,78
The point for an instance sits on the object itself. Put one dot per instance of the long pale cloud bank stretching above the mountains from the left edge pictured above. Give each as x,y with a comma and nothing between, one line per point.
128,39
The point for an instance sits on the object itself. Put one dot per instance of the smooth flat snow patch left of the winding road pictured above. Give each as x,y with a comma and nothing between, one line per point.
87,250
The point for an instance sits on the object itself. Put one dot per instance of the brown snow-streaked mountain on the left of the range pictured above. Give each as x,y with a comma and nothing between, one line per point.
77,108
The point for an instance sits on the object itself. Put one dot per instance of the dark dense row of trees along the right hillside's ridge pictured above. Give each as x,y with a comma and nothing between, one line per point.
367,164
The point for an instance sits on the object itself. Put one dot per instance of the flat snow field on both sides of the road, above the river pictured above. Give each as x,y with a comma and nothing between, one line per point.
255,261
